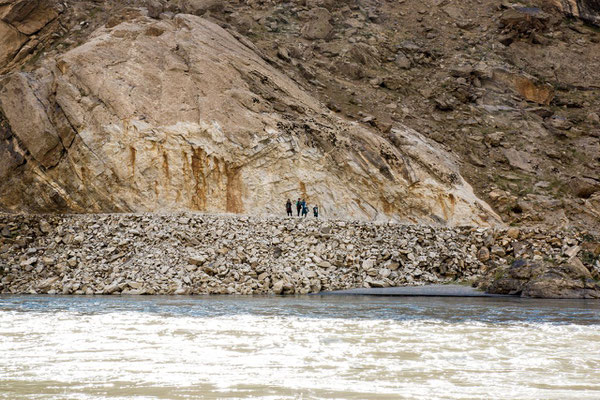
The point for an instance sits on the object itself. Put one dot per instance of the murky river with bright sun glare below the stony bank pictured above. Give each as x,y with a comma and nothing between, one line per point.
311,347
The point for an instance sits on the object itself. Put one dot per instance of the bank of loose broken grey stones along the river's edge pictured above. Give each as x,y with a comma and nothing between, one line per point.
191,253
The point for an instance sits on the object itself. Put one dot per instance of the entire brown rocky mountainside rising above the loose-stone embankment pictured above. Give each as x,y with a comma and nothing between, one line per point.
371,109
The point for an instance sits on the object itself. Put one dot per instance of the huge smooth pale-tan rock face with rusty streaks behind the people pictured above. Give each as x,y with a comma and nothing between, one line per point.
178,114
